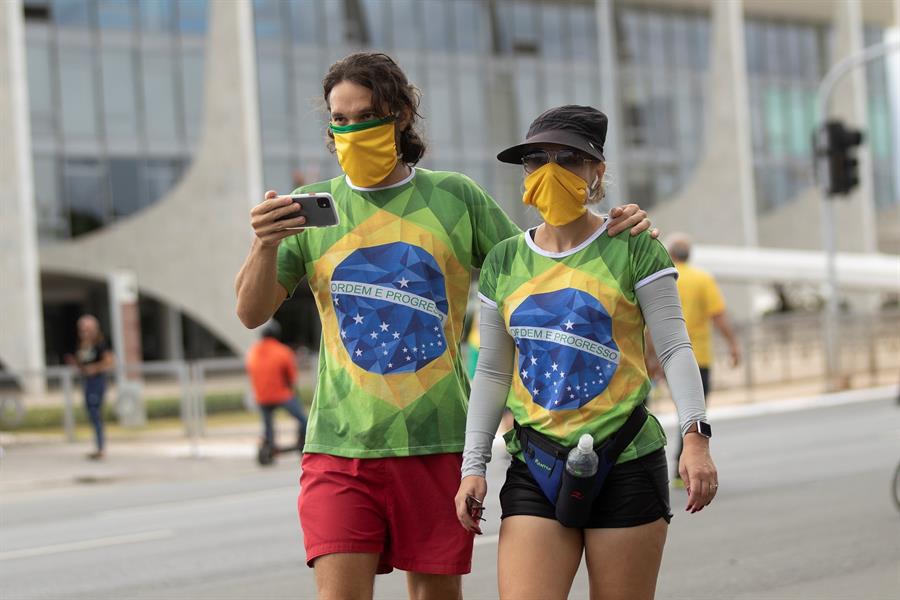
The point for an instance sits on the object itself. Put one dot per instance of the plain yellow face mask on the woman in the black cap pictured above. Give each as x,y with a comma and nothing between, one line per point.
558,194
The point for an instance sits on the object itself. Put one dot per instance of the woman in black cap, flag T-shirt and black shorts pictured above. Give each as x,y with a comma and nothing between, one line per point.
563,309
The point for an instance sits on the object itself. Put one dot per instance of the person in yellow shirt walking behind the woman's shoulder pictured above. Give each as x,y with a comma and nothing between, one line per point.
703,307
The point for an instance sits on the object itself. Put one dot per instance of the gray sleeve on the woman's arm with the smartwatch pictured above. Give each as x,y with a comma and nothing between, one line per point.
662,312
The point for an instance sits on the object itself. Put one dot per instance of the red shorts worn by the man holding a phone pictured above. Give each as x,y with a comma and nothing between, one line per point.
401,508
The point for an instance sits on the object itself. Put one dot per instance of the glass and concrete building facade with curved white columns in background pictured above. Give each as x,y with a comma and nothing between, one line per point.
142,132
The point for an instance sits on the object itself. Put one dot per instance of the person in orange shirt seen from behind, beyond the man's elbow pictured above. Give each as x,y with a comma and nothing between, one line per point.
272,368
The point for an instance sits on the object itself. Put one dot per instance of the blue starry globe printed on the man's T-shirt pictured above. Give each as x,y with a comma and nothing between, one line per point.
391,304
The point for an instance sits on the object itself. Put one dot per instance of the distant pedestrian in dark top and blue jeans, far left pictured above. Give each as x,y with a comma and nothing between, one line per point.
94,360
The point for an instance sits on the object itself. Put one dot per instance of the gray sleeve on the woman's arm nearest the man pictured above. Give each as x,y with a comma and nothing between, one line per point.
493,376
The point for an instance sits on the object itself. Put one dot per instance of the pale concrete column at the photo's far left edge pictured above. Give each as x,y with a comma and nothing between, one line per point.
21,329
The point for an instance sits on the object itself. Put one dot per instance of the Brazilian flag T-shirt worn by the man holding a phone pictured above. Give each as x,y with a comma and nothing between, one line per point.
391,283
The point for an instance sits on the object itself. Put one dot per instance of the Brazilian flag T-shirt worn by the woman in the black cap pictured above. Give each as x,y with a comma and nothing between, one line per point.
578,329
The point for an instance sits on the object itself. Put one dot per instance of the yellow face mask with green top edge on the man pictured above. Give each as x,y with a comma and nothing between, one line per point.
366,151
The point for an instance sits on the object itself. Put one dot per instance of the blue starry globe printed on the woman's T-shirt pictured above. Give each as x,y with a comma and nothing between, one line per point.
566,352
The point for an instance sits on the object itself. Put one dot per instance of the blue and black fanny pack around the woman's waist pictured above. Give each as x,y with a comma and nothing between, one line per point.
546,459
